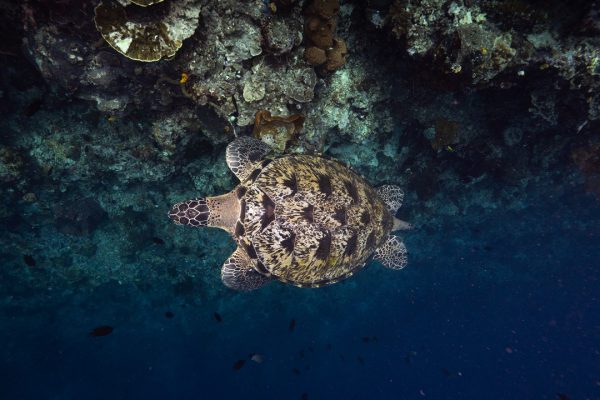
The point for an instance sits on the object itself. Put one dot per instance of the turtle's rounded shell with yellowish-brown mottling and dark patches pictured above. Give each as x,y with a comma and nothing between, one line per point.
310,221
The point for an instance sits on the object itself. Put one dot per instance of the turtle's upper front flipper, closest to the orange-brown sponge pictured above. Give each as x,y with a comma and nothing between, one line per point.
243,155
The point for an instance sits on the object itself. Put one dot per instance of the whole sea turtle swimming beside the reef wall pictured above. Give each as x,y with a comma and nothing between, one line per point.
300,219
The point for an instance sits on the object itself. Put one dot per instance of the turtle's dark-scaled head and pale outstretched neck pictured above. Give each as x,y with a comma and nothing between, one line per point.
219,211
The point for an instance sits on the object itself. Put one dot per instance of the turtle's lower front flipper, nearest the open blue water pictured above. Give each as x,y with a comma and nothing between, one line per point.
237,273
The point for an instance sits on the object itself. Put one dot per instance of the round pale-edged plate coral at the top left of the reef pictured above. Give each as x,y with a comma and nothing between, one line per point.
146,39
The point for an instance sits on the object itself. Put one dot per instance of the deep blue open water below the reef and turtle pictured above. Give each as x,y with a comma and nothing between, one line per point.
500,305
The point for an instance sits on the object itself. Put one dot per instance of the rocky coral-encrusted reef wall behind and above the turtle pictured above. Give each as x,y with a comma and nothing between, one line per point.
474,107
